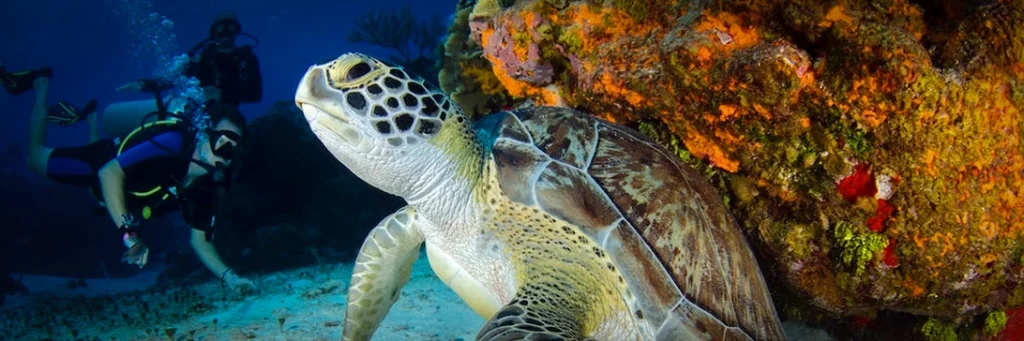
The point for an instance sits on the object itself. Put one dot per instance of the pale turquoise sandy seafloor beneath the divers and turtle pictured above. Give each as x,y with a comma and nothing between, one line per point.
301,305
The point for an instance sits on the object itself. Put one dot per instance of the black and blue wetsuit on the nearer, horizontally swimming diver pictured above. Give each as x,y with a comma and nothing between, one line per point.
153,174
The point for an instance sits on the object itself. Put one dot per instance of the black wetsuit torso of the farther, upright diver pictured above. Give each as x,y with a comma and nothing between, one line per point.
237,74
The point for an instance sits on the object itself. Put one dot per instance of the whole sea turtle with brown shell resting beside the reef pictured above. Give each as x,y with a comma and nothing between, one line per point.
549,223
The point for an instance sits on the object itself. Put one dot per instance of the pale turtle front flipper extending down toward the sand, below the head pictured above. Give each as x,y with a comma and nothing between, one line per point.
383,267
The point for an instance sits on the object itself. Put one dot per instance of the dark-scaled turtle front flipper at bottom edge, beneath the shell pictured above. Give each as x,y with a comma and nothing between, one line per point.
533,315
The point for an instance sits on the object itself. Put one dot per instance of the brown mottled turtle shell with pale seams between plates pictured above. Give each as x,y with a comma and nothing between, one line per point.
666,229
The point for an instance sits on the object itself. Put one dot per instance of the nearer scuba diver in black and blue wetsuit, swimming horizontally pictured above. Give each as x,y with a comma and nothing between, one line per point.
163,165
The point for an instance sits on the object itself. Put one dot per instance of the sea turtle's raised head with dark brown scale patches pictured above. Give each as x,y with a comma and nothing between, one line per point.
378,120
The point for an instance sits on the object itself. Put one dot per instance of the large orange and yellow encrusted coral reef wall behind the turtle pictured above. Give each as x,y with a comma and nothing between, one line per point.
873,150
